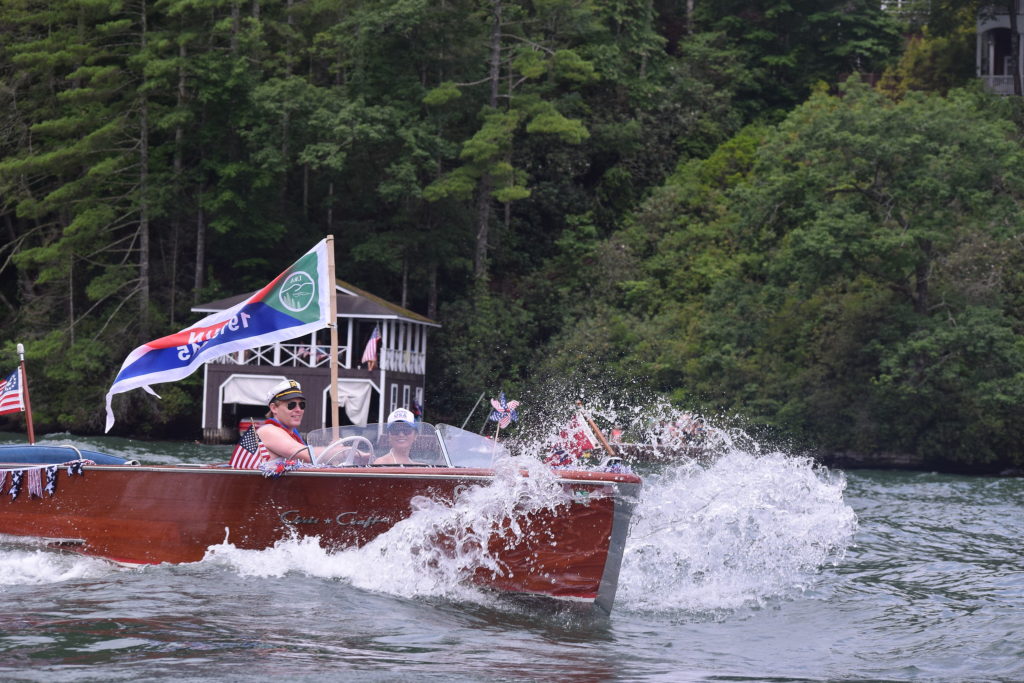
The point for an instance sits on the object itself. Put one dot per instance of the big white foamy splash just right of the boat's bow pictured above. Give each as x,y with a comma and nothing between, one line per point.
734,532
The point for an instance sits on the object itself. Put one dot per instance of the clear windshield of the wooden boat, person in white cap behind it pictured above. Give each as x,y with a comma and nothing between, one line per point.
374,445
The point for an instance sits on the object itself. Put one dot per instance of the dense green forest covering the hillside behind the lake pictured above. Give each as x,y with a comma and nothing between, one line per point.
804,215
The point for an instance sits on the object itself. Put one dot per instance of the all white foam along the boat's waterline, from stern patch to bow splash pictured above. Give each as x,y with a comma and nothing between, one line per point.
714,534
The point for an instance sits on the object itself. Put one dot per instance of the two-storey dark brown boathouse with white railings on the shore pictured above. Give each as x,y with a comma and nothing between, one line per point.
235,387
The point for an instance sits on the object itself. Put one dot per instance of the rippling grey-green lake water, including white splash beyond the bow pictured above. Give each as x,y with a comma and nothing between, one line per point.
752,568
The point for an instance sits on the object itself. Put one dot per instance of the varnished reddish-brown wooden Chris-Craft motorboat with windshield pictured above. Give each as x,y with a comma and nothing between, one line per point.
130,513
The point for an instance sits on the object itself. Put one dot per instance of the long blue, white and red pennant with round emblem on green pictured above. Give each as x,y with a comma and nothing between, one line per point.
294,304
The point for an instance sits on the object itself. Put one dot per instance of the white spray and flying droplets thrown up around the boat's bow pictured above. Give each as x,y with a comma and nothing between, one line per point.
721,525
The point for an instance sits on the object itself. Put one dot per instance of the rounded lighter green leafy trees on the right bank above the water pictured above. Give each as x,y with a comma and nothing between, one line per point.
847,276
